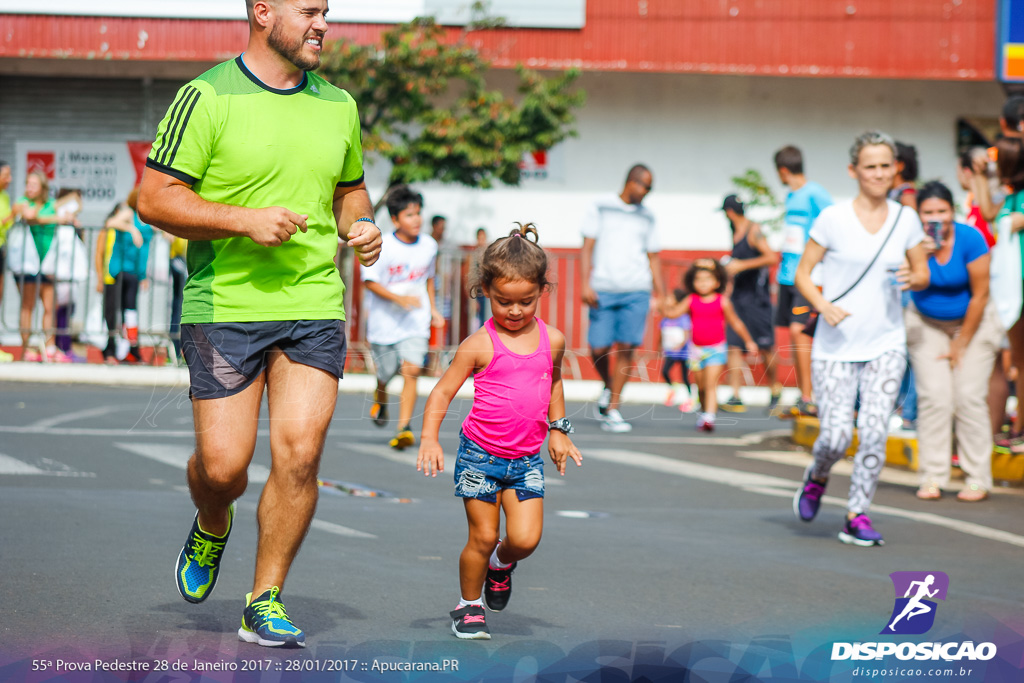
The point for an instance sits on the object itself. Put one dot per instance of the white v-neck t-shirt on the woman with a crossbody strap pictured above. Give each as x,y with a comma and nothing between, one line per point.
876,322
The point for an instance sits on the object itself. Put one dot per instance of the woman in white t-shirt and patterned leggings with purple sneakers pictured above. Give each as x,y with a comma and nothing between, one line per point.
871,249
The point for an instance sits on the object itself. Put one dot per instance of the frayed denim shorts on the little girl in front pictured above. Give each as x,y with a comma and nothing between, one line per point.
481,476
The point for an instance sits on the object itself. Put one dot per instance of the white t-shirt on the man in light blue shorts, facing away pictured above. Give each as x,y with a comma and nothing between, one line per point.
625,234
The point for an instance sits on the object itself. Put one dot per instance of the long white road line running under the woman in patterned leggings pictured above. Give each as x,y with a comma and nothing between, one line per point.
780,488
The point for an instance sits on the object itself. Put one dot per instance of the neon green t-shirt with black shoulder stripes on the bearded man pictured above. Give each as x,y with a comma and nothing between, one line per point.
239,142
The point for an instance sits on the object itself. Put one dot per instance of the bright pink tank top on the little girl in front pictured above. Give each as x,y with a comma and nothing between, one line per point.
511,396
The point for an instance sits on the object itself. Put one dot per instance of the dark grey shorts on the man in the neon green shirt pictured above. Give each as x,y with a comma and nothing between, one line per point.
224,359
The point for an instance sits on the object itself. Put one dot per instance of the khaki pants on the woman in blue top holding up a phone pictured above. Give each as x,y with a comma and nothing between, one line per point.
953,398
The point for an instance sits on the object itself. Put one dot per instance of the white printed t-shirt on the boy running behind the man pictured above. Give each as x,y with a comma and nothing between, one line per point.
403,269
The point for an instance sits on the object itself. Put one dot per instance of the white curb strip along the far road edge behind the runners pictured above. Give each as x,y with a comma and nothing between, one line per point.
146,376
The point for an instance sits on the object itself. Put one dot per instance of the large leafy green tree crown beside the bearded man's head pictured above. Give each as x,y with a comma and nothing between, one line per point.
425,107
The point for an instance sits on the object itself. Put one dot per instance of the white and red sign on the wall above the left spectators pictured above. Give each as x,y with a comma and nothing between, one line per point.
104,173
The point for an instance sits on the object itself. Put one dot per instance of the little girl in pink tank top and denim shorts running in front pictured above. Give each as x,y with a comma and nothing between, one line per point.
516,360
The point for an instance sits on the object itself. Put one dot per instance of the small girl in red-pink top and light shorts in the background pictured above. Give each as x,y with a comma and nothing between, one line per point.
710,311
